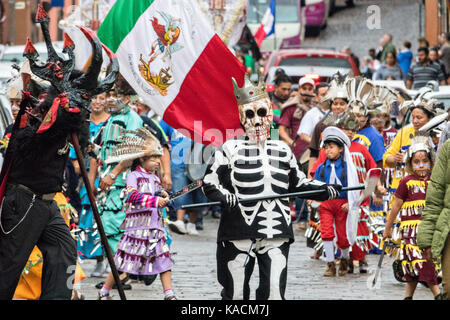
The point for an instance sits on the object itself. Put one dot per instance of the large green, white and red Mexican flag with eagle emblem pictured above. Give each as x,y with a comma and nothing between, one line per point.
172,58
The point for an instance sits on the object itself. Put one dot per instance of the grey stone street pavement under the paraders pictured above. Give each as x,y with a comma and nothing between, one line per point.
194,275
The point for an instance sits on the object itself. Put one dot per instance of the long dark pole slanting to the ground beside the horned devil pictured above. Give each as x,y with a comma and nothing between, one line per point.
101,231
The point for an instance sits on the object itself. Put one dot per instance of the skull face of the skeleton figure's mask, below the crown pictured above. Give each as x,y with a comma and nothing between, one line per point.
256,118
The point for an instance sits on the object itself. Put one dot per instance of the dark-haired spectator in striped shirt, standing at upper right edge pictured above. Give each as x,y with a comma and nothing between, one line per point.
423,71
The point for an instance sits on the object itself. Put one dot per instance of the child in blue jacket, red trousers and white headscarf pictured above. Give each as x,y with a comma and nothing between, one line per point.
337,169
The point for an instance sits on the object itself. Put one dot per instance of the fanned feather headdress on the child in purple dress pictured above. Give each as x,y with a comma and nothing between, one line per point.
139,143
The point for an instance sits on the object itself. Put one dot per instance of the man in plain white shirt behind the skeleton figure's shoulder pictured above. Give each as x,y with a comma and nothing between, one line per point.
313,116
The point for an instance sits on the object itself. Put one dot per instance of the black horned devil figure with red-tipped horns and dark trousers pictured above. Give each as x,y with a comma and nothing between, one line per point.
34,163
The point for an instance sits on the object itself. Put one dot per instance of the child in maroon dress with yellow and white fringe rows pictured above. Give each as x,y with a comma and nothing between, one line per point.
410,201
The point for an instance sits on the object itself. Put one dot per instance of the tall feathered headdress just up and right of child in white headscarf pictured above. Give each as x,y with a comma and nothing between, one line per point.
361,95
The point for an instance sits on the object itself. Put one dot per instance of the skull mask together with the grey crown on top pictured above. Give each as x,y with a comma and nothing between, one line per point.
255,109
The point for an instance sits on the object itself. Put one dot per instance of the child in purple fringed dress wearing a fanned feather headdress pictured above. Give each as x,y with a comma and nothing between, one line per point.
143,248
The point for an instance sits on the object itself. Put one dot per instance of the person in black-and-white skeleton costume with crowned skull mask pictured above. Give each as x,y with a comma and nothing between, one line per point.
245,167
